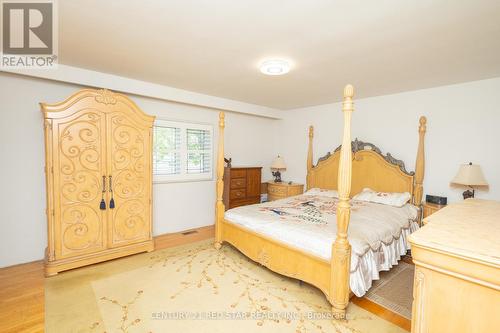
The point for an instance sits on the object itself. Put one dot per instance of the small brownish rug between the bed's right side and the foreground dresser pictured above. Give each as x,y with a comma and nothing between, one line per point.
394,290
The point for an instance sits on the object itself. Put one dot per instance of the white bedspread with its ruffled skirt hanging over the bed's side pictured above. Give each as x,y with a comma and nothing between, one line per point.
377,233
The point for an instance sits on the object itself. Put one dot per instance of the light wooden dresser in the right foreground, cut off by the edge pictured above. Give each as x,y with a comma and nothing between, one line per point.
457,269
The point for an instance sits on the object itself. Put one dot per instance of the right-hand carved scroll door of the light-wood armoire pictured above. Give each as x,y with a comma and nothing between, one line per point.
129,169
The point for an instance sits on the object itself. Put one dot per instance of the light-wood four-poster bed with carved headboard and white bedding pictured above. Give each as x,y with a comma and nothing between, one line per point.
329,259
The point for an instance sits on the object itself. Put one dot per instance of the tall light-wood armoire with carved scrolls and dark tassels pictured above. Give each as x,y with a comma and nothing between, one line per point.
99,179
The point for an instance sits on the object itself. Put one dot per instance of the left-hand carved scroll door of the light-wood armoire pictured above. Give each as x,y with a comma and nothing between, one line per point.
79,164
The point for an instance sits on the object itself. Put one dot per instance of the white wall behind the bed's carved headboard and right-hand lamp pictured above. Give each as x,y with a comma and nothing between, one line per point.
463,125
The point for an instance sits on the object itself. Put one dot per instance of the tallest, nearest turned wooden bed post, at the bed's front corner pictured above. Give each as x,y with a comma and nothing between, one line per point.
341,249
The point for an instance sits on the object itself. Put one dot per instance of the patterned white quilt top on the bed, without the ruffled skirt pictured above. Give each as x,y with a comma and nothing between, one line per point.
310,221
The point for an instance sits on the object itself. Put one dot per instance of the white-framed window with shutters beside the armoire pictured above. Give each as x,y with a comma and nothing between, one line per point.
181,151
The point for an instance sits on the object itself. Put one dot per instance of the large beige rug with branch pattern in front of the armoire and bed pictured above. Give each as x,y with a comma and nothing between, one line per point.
192,288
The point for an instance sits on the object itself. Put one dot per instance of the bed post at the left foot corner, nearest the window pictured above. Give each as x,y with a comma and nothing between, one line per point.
219,205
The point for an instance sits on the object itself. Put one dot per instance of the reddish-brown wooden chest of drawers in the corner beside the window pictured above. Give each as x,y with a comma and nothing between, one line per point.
241,186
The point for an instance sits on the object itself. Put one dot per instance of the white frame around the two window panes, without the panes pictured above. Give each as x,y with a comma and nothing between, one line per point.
183,176
